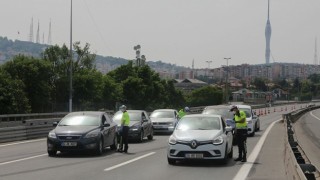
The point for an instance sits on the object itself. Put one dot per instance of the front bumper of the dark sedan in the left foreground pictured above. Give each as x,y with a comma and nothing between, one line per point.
79,145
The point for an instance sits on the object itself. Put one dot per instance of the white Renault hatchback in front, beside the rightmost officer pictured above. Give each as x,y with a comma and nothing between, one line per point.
200,136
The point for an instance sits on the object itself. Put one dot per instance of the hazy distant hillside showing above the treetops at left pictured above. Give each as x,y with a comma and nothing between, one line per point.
9,49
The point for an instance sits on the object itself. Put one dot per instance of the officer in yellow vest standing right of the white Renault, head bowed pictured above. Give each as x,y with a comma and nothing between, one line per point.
241,133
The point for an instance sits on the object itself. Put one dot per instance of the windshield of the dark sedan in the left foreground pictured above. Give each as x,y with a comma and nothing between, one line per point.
80,120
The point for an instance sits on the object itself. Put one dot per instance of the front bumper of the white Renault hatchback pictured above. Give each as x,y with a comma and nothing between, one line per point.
206,151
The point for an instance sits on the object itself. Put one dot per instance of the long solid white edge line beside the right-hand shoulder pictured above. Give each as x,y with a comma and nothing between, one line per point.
246,167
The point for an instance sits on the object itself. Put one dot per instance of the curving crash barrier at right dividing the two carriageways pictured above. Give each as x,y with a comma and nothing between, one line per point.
297,163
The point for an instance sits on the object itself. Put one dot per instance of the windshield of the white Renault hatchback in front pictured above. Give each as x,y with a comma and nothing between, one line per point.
199,123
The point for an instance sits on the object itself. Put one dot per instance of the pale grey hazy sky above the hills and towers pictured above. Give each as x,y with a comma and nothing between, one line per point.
174,31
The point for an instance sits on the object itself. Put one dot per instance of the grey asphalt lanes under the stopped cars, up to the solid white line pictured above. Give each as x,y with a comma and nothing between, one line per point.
147,160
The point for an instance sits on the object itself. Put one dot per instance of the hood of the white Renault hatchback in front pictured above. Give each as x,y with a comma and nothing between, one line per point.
199,135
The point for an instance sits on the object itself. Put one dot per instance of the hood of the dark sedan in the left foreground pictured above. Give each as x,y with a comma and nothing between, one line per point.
73,129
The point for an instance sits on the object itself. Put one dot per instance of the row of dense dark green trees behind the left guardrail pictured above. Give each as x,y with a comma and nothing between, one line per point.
38,85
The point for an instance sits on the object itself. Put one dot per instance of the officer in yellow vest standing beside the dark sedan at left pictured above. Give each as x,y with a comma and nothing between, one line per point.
125,121
